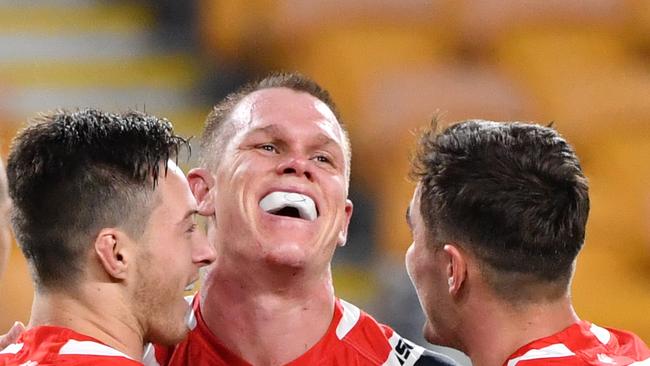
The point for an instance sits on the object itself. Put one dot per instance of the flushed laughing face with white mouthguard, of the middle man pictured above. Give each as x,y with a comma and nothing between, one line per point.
280,191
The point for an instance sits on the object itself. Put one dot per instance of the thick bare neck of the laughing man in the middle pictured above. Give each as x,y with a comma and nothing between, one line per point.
261,310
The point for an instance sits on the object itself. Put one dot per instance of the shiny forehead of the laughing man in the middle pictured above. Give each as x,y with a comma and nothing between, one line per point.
288,108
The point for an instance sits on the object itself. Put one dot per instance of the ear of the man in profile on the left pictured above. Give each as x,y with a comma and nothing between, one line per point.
113,249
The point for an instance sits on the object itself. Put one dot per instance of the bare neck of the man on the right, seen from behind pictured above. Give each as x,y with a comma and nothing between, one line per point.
515,325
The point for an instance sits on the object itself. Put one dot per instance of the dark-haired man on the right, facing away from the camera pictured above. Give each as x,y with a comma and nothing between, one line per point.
498,218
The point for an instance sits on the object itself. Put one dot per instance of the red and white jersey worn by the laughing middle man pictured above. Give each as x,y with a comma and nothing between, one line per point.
353,338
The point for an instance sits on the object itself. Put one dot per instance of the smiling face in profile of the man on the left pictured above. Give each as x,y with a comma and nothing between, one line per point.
172,251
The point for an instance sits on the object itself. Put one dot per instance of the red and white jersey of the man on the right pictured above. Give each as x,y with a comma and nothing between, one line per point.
584,343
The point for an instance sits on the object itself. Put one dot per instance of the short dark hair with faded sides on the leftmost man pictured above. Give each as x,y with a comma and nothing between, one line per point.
73,173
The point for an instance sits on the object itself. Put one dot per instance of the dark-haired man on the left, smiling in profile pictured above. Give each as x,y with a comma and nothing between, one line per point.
105,219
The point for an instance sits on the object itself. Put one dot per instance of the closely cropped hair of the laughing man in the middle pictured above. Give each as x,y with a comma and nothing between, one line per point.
216,133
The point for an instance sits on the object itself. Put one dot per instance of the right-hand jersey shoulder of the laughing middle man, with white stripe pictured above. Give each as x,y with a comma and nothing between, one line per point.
377,341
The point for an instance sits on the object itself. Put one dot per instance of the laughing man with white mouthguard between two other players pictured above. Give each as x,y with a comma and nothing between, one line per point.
273,183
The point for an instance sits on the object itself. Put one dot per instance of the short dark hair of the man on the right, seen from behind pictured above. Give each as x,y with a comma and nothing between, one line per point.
512,193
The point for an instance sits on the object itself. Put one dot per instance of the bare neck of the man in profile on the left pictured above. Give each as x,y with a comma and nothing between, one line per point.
103,320
